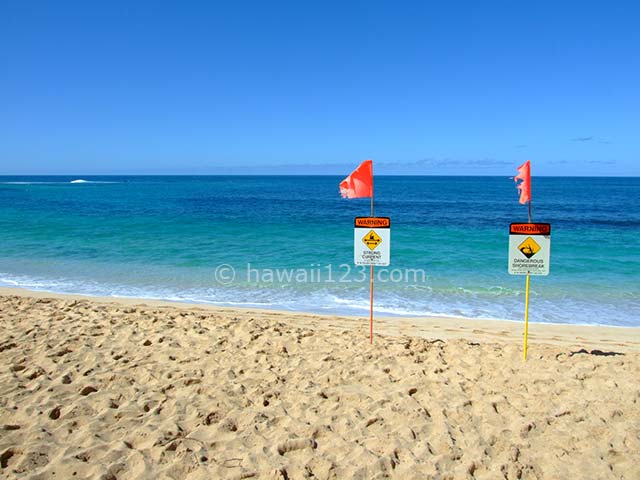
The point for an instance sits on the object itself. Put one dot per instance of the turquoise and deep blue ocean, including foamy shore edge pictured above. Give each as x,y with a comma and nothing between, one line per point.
286,242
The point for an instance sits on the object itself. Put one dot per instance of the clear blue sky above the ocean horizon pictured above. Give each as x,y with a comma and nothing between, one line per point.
432,88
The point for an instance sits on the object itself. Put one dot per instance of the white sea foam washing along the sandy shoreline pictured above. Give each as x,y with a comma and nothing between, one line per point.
354,302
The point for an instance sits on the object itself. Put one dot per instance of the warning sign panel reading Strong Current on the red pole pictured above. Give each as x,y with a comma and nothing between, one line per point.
372,241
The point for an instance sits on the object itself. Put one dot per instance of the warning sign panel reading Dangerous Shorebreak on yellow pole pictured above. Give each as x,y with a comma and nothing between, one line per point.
529,248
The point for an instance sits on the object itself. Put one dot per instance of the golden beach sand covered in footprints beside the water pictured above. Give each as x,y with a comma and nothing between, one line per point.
113,389
